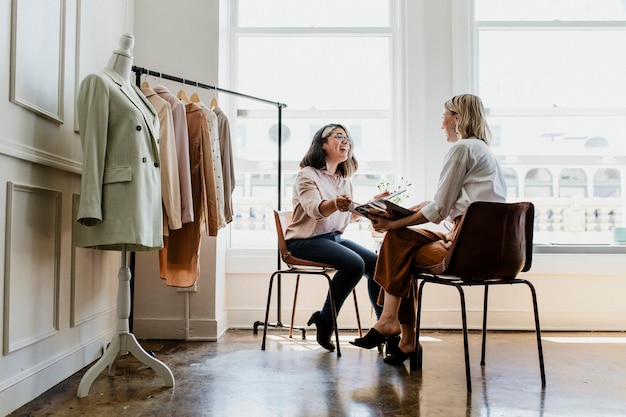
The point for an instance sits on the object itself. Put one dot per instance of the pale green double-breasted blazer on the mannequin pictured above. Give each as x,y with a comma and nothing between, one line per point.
120,201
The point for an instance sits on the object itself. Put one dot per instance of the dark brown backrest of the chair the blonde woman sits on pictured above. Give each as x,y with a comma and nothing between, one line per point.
494,240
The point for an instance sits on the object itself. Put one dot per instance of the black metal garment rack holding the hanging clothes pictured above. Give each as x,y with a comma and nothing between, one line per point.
139,71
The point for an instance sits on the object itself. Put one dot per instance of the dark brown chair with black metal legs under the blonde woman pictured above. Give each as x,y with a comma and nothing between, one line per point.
493,245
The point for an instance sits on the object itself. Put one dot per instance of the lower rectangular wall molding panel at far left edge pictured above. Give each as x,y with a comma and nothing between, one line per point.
32,261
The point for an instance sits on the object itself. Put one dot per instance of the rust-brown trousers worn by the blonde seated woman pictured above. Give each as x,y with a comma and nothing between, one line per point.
401,250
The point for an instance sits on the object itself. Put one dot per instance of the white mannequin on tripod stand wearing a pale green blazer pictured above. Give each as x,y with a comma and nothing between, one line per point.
120,204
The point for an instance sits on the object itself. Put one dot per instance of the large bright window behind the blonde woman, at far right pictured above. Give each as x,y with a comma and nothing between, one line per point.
549,74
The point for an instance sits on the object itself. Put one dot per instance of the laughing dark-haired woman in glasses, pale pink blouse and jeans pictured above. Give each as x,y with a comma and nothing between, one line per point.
322,196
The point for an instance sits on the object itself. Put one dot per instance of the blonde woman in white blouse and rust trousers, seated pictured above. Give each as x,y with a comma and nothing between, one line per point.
470,173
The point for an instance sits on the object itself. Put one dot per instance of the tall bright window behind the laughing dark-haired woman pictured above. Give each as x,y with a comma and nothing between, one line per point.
329,61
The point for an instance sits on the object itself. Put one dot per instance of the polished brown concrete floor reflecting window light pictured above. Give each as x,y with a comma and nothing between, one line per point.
586,376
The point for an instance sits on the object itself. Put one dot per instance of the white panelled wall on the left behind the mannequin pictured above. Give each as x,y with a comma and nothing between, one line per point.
58,303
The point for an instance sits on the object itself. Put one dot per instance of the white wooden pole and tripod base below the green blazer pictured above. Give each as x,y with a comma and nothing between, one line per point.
123,342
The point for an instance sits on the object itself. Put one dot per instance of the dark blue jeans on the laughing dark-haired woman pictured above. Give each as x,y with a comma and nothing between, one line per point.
351,260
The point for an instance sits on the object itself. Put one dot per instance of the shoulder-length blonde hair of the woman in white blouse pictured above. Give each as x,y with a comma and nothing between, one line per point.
472,117
